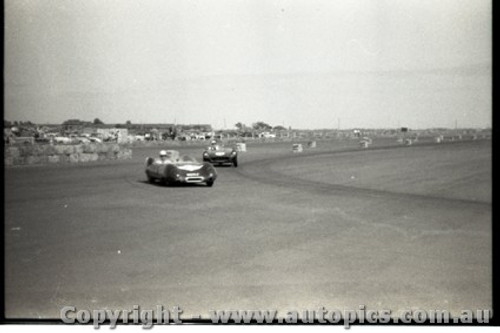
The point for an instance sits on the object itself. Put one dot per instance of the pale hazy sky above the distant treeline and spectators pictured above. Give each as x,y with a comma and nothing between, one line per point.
301,63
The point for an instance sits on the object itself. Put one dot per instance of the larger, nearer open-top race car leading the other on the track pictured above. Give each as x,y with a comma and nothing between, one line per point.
172,168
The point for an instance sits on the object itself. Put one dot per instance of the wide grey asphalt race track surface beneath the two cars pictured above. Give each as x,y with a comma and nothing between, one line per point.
335,227
